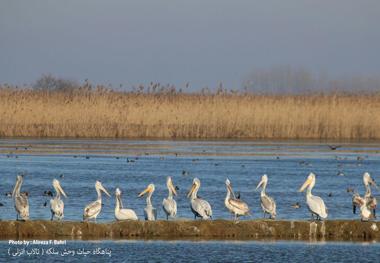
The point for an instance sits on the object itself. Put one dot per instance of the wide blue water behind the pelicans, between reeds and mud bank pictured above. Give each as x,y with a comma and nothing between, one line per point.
131,165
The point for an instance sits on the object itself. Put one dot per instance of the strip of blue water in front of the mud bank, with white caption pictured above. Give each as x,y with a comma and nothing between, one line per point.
157,251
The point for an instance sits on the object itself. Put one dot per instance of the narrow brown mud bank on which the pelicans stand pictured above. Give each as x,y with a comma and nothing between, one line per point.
331,230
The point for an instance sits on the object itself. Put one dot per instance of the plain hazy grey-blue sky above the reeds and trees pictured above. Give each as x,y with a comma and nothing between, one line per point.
203,42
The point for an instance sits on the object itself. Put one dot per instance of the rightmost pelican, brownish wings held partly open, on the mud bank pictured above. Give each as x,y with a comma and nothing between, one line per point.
370,200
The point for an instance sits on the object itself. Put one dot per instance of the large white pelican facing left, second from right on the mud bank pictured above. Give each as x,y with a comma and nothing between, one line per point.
315,203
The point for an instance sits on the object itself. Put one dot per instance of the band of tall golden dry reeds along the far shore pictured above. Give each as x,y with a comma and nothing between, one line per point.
102,113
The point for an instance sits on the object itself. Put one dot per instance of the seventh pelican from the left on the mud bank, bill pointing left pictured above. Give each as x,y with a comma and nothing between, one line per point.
199,207
